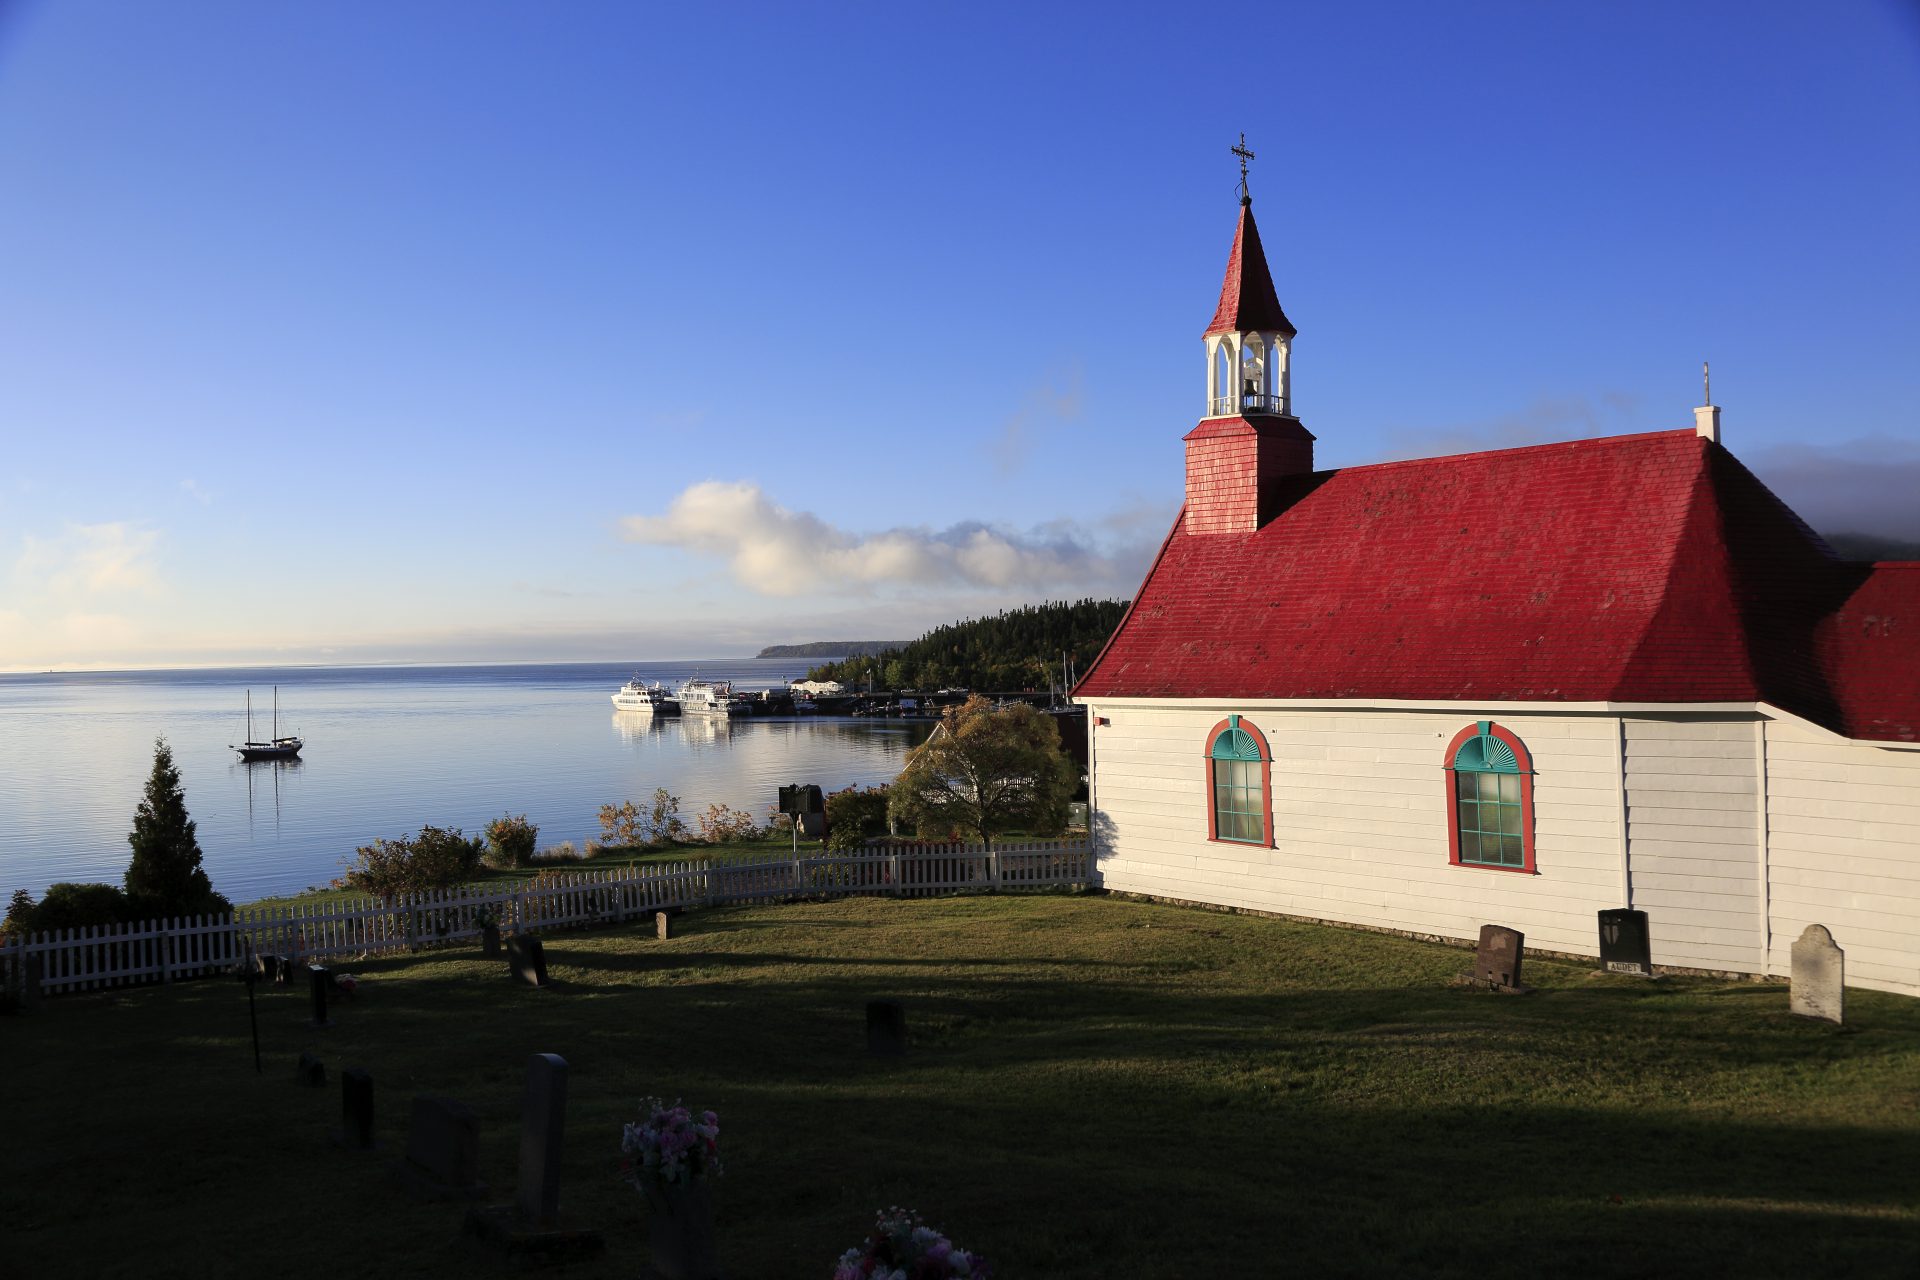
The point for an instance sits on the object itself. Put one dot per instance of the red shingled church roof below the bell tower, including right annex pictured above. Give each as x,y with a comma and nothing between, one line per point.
1635,569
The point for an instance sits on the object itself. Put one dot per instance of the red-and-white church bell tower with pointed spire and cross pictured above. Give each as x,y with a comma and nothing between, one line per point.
1249,435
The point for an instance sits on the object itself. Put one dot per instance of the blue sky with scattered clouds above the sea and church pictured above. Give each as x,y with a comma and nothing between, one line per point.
602,331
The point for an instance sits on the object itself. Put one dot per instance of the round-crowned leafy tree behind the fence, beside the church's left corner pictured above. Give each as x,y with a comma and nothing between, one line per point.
986,772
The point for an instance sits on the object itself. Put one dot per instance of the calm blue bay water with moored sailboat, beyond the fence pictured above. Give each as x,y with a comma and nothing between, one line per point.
387,751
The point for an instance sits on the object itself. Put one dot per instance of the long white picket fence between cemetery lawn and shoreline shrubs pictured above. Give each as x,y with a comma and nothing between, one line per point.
76,960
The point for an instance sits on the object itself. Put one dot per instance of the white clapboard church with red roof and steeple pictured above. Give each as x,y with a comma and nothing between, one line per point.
1508,688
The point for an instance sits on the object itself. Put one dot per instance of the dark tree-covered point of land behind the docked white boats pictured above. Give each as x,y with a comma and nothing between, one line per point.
1015,650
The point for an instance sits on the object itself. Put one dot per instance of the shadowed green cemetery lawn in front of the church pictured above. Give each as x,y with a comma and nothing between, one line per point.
1095,1089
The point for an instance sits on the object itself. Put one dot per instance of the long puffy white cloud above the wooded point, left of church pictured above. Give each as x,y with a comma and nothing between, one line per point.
780,552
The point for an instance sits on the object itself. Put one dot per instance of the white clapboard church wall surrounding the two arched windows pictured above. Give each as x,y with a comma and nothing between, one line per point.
1360,822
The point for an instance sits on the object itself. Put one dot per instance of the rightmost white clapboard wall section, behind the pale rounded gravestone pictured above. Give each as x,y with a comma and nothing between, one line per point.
1844,851
